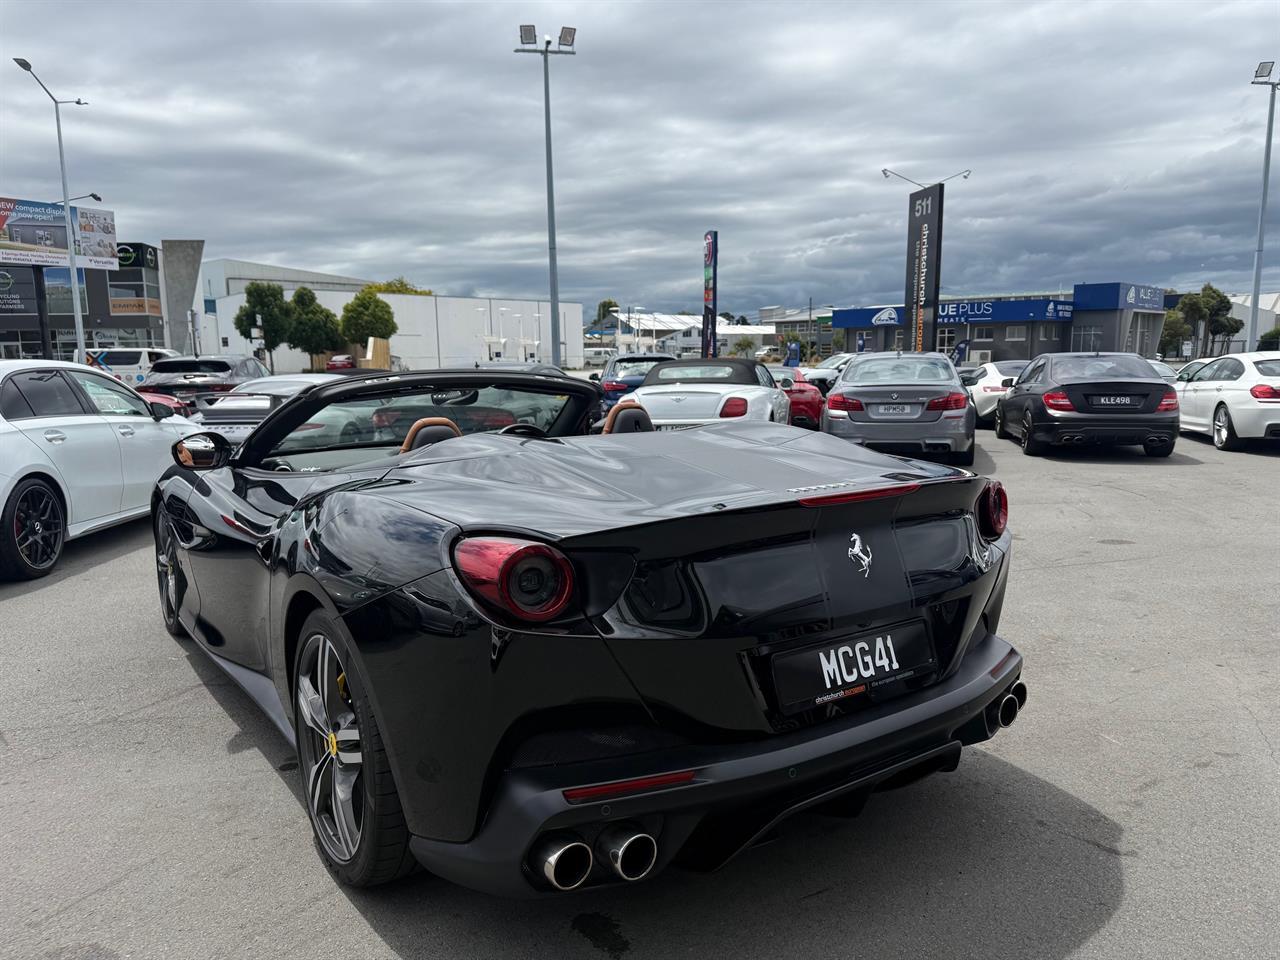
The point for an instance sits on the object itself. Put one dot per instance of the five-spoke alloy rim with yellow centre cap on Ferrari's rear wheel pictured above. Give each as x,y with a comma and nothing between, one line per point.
330,749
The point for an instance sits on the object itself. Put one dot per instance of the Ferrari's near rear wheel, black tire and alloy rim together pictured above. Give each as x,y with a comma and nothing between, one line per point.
371,845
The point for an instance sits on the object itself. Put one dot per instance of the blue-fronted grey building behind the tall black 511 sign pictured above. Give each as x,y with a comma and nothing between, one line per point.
1108,317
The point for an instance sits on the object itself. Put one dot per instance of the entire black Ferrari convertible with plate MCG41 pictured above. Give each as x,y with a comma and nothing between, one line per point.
534,653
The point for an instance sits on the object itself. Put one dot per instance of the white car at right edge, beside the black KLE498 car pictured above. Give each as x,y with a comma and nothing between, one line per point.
1233,400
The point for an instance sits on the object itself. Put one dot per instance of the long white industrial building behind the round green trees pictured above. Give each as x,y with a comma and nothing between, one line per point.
433,332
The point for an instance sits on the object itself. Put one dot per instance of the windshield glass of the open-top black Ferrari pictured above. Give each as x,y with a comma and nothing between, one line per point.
386,423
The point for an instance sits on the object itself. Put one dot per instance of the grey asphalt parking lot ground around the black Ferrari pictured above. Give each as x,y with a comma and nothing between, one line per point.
1133,810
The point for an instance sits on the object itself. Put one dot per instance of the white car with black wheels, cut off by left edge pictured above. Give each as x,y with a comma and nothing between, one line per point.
79,451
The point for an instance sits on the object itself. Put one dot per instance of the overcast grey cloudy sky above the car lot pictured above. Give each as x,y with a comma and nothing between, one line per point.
1109,141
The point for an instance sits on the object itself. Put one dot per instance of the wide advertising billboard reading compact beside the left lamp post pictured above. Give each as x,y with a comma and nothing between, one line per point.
35,235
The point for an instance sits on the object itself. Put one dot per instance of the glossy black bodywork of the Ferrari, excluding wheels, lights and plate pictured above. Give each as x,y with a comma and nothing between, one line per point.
701,557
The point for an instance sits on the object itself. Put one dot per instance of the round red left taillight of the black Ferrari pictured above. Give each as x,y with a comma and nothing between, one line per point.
524,579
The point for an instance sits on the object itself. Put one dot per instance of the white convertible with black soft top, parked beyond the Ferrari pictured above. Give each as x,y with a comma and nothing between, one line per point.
692,392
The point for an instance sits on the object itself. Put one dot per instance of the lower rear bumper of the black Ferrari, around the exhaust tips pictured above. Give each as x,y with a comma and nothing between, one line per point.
739,792
